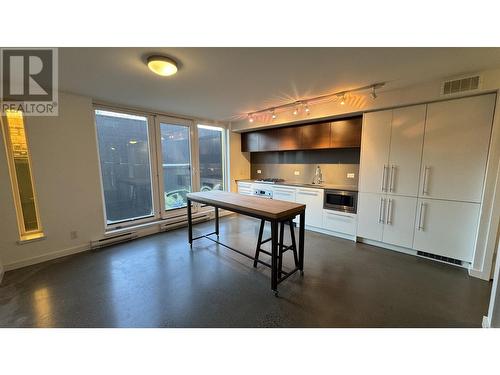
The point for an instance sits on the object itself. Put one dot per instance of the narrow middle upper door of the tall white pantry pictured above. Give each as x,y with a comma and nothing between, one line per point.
407,137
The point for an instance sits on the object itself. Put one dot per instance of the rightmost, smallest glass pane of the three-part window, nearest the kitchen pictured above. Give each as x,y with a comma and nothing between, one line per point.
211,154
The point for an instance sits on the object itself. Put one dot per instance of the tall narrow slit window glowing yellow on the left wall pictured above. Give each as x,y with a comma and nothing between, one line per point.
18,157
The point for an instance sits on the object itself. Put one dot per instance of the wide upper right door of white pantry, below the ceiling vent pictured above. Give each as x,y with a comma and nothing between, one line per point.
457,135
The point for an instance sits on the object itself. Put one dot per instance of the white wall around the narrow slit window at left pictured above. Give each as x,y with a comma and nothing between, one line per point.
67,182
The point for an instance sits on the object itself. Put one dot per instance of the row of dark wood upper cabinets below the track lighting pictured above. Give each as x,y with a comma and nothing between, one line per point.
335,134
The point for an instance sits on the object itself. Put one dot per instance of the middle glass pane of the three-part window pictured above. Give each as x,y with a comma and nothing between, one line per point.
176,164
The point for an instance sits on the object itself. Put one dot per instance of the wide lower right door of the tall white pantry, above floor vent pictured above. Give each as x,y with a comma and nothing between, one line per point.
446,228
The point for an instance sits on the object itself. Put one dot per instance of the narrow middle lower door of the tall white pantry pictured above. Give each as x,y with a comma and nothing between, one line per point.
399,220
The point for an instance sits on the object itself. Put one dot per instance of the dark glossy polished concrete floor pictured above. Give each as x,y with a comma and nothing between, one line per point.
157,281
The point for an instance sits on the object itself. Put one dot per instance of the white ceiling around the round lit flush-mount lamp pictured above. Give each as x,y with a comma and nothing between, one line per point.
223,83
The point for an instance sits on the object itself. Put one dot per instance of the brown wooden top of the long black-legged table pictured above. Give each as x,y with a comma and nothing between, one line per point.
247,204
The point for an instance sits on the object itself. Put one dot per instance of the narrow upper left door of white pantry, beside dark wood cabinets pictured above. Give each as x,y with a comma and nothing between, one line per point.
375,141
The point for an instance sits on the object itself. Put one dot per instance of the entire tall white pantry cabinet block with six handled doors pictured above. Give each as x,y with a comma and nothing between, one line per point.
421,175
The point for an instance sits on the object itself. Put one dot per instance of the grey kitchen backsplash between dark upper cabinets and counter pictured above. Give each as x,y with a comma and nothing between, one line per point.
335,165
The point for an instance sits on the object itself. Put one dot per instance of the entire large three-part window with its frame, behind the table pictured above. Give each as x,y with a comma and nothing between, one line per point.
149,163
